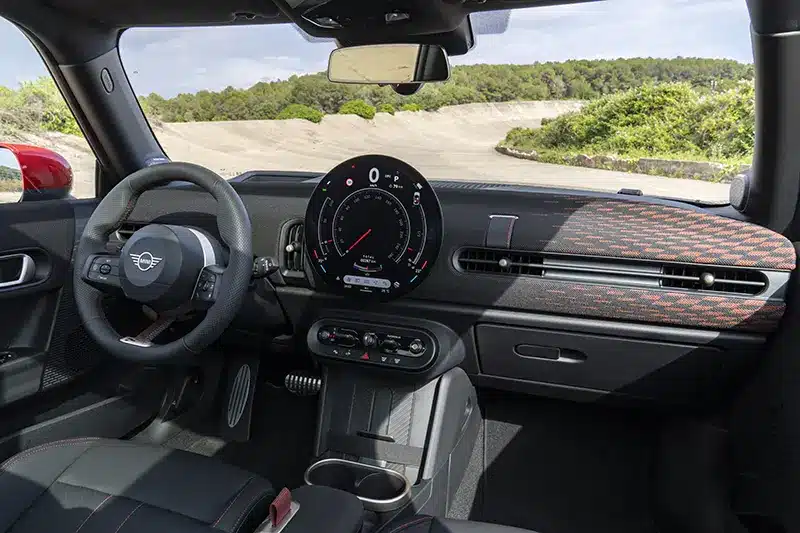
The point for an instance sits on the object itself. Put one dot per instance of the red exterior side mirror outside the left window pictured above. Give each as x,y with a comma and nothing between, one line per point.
32,173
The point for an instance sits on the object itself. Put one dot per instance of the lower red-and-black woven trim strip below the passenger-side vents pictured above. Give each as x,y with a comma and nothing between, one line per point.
665,307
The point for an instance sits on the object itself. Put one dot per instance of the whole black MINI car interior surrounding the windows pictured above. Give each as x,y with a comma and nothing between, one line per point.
367,350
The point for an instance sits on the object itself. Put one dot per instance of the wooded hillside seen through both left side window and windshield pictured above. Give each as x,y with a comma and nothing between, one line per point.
37,105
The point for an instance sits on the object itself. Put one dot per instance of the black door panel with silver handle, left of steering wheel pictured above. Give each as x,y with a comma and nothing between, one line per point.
37,316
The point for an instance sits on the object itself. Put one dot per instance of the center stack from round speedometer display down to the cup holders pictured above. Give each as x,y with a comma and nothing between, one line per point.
398,418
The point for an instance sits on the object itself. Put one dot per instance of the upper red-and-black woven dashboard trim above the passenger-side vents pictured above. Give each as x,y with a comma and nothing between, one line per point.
613,228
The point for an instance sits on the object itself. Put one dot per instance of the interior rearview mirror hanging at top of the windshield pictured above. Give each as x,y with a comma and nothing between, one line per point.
389,63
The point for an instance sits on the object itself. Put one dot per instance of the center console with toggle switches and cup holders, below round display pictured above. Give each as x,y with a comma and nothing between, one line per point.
398,419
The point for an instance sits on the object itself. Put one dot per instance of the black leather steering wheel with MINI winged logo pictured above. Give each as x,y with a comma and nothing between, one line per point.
172,269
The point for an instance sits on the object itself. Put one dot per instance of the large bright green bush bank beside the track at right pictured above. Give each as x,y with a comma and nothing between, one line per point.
667,120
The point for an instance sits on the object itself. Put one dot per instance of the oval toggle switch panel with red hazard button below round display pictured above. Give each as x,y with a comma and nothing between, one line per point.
372,344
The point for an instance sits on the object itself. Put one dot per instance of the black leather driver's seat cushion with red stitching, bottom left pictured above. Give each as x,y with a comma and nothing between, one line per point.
110,486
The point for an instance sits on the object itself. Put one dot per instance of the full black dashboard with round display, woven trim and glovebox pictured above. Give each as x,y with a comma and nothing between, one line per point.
567,294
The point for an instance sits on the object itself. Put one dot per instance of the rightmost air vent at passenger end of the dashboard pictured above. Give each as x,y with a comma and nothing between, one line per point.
698,278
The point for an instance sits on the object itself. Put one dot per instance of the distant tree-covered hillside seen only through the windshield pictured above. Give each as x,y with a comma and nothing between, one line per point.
579,79
